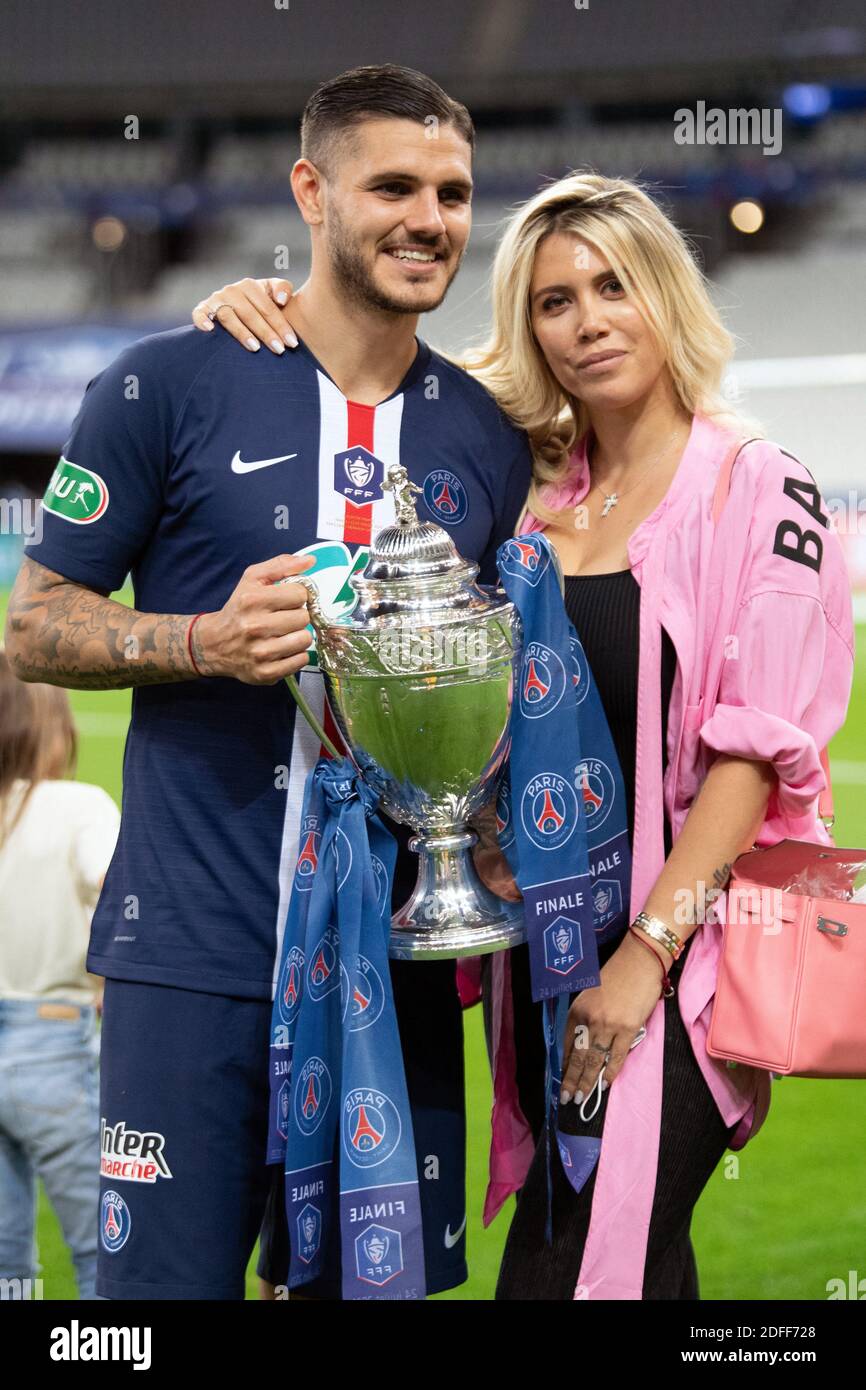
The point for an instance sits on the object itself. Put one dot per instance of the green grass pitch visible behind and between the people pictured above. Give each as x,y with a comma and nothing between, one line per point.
776,1221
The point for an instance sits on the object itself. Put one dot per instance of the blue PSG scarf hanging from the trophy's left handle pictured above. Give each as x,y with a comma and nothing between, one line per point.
340,1110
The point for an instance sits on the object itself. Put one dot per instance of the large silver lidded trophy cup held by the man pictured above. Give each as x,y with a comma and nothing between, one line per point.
420,679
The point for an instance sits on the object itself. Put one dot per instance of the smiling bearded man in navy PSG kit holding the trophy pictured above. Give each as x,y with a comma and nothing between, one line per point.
209,473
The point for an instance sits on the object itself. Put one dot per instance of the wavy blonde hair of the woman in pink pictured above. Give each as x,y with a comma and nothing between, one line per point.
658,269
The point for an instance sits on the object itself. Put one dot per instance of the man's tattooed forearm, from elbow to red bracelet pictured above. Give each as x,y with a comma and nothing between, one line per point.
79,639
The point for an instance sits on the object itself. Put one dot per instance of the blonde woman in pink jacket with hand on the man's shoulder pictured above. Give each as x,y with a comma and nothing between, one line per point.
722,644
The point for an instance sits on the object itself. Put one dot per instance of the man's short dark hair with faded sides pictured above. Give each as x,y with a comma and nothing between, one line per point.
366,94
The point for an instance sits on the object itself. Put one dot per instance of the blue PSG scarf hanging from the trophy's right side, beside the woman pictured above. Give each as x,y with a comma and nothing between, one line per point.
562,815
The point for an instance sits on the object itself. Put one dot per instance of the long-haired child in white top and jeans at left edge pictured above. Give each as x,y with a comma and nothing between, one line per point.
56,840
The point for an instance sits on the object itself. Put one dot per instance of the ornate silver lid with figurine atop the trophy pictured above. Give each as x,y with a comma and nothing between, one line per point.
415,566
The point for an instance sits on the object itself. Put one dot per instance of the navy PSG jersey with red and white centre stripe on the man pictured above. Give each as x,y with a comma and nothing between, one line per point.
190,461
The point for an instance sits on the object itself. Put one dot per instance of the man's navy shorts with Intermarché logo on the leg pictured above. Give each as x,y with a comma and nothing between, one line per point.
184,1092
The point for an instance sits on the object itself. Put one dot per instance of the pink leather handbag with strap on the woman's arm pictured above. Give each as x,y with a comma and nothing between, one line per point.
793,967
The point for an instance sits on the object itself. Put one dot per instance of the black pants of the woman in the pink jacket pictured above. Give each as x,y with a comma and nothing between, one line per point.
693,1140
